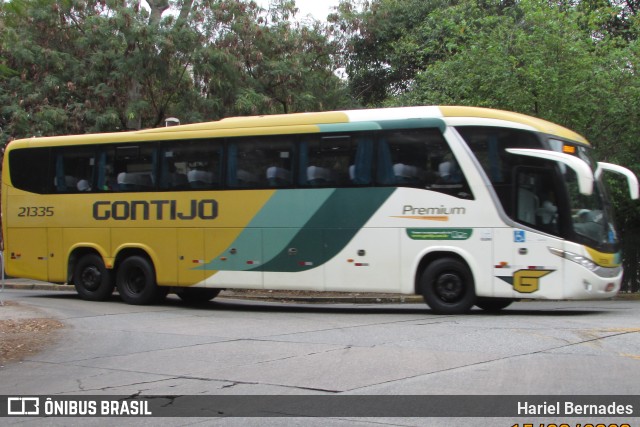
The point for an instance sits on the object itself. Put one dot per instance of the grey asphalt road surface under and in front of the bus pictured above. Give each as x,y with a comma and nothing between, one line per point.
234,347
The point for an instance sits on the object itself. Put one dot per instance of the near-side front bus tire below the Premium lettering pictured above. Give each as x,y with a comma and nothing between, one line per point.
447,286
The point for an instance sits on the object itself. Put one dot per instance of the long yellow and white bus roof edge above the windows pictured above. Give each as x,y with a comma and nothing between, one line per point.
313,122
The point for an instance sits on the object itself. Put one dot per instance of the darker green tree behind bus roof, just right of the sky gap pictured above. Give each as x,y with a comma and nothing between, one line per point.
388,42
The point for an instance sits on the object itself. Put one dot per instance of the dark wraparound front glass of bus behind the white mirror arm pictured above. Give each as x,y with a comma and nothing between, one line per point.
530,190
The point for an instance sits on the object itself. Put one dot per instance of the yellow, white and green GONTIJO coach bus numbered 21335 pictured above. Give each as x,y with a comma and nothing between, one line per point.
465,206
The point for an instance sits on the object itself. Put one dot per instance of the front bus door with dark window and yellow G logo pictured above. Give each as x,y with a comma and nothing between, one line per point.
522,257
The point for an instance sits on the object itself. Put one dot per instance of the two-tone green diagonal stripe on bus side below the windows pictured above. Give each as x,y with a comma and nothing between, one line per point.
321,222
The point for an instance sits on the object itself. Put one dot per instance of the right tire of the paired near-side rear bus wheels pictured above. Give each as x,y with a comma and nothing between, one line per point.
136,281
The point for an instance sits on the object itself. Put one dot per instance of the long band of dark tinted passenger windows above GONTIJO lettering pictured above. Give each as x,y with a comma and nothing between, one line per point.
419,158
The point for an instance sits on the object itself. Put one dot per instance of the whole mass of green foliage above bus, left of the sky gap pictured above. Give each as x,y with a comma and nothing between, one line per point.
72,66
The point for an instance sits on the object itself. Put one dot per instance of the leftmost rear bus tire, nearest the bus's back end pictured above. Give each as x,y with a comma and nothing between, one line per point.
91,278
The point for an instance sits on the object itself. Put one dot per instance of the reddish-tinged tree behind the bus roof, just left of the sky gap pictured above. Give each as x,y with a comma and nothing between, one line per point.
271,63
